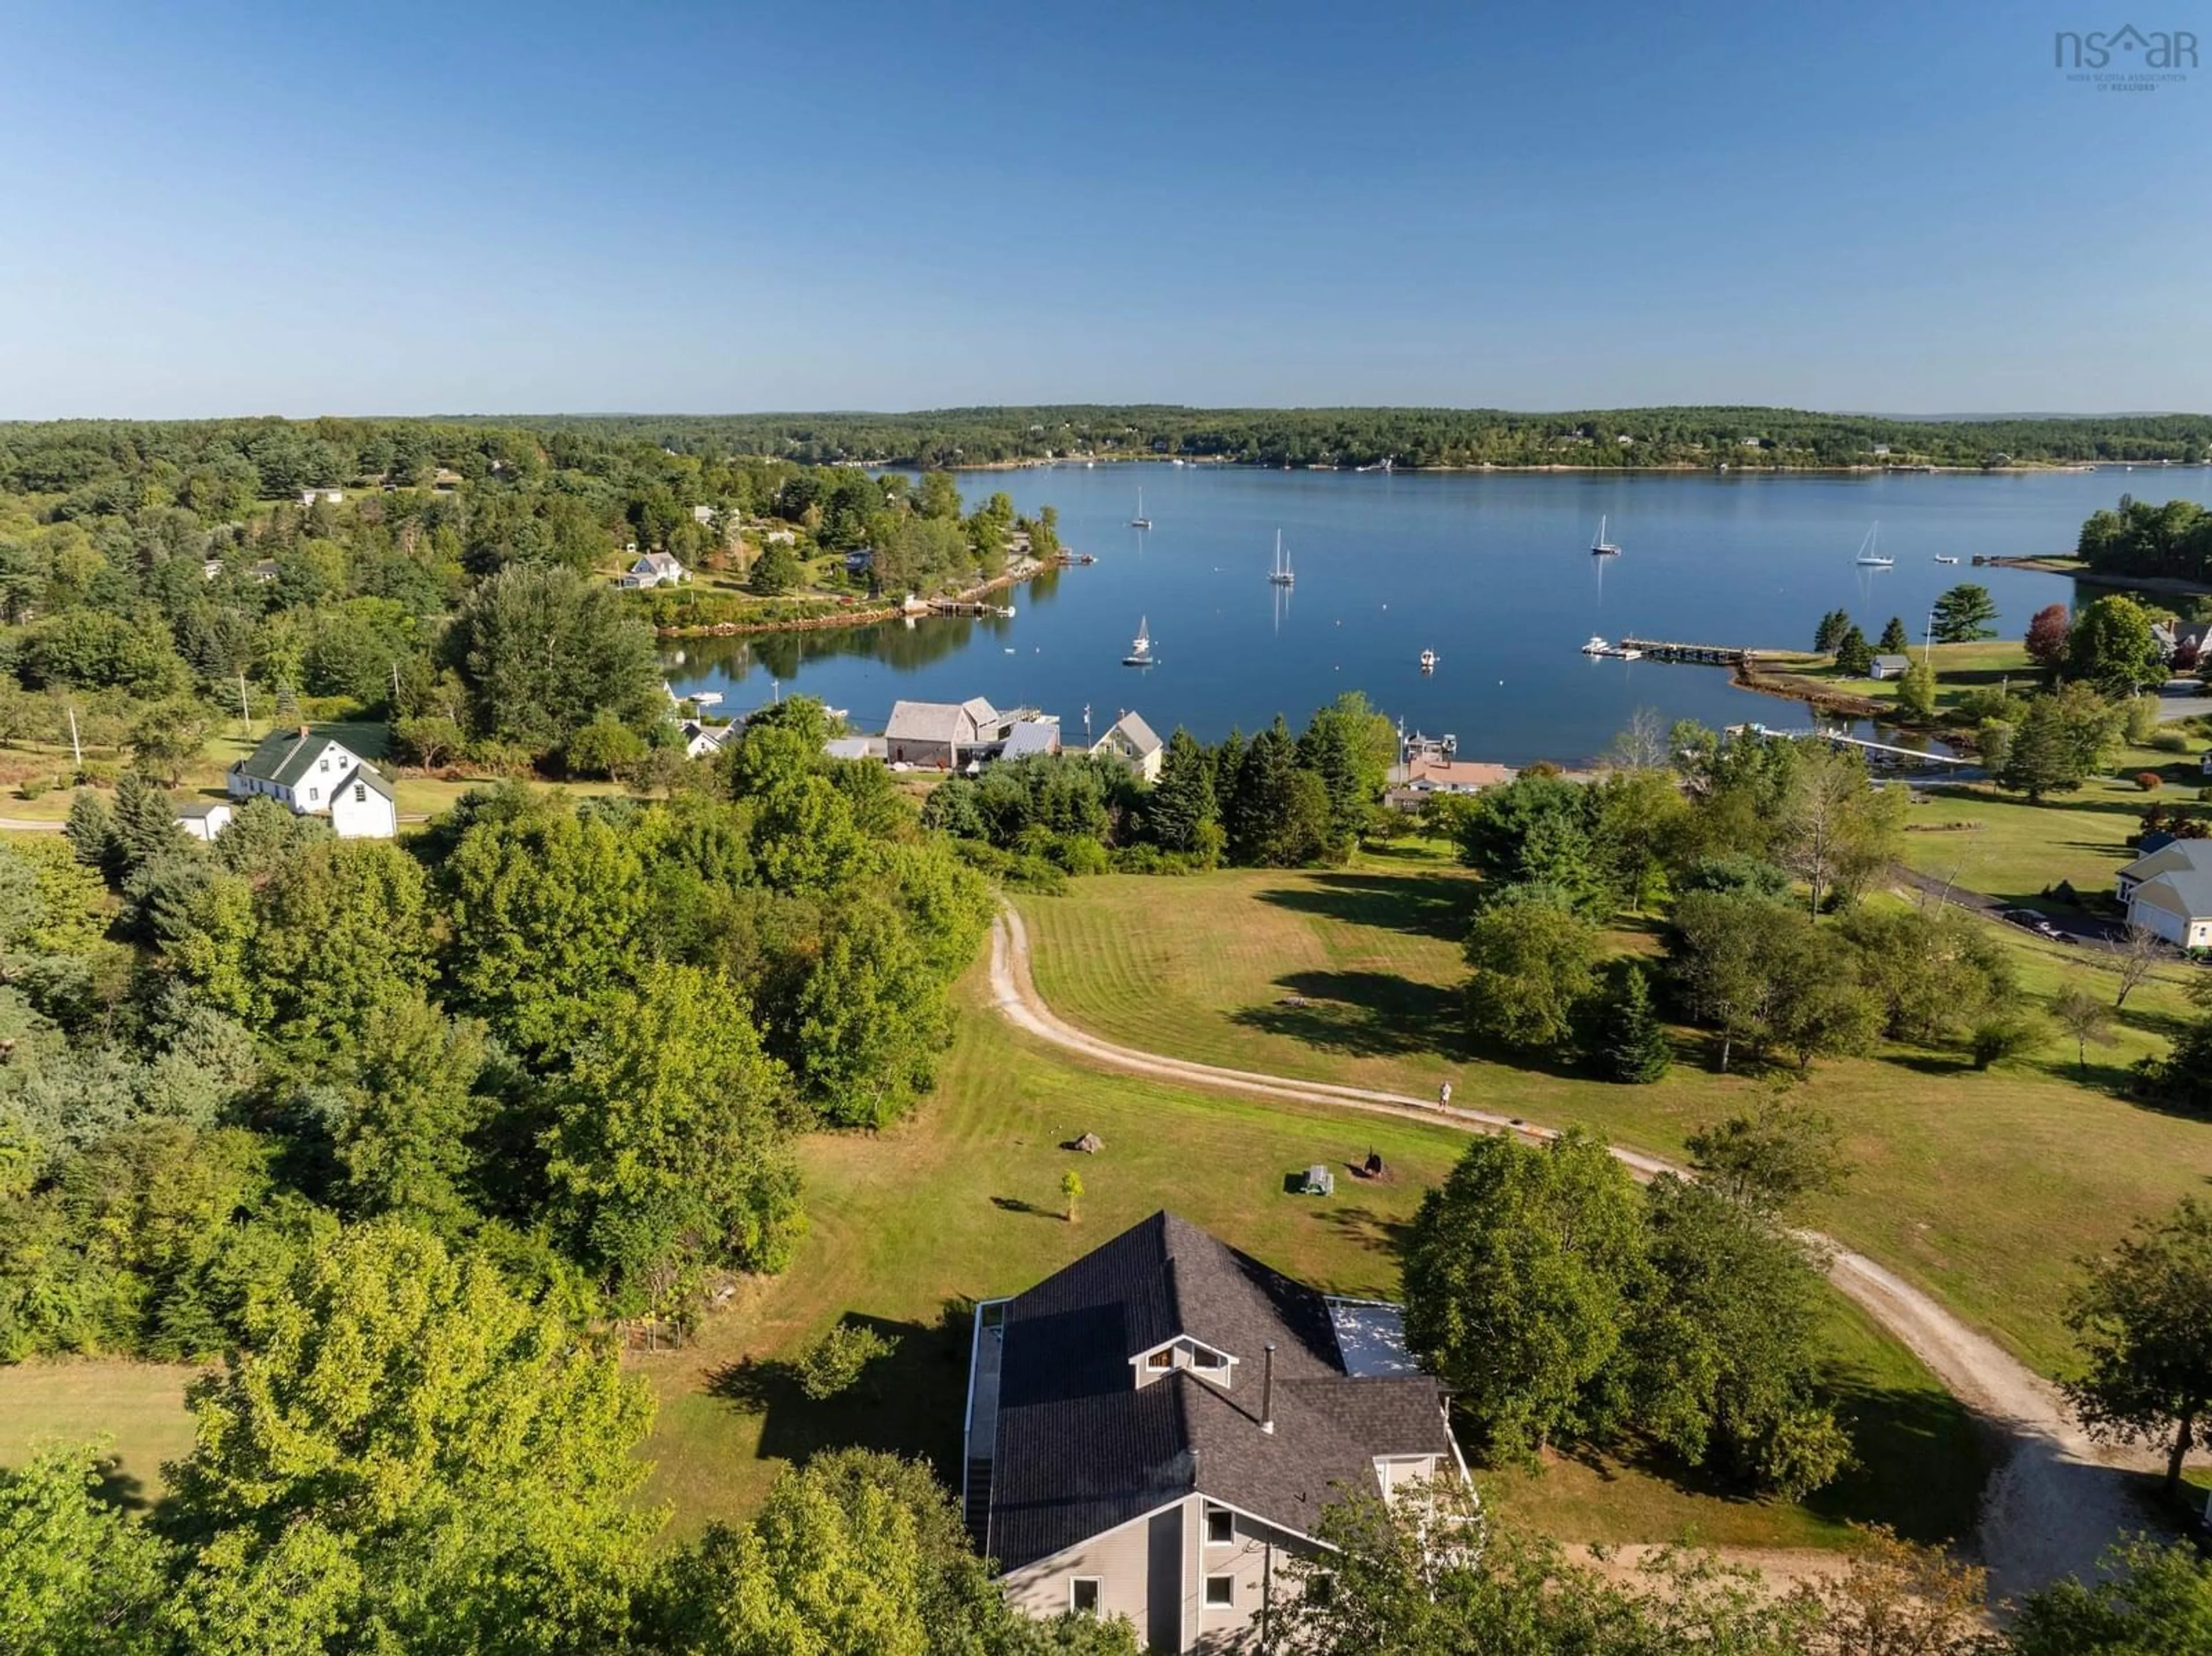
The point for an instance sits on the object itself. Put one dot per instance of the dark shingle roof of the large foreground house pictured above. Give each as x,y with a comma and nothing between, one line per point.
1081,1447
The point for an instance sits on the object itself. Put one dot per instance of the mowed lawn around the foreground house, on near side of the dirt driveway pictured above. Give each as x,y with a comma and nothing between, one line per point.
963,1202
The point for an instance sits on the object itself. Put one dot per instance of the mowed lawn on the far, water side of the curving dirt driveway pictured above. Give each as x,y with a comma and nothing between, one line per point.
1981,1186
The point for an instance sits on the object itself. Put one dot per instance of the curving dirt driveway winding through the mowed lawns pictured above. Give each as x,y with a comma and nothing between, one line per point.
2052,1507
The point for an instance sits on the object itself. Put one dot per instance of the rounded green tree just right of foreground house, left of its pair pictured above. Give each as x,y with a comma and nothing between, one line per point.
1521,1272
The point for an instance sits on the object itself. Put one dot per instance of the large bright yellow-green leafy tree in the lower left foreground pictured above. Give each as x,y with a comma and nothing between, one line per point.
419,1449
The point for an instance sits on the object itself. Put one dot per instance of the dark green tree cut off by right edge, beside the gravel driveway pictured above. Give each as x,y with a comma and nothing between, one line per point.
2145,1325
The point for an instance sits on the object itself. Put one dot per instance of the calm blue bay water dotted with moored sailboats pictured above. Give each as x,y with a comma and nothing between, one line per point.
1490,569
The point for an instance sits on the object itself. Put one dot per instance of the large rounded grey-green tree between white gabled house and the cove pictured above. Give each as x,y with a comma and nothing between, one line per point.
545,651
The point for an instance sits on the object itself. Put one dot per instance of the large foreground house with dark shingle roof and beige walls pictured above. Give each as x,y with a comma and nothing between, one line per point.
1156,1427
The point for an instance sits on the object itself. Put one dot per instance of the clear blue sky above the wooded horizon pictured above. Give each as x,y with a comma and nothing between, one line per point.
408,209
